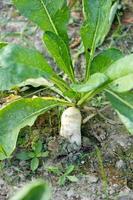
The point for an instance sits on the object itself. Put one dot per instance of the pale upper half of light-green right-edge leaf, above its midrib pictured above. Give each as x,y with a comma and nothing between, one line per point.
120,68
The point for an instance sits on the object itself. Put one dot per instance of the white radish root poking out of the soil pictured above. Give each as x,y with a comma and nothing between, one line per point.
71,125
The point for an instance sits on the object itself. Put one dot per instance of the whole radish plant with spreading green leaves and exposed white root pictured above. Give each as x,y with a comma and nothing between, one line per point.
108,71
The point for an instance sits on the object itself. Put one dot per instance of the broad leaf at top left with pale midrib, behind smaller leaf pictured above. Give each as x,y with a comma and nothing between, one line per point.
47,14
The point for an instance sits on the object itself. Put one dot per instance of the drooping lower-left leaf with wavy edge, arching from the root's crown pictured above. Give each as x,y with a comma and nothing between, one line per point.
19,114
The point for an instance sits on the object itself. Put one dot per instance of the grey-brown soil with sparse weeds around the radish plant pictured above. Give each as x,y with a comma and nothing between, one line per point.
104,165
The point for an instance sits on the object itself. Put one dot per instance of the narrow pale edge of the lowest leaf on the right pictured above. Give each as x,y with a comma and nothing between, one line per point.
128,124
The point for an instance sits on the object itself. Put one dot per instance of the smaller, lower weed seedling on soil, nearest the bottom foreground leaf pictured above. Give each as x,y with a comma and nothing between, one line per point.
64,175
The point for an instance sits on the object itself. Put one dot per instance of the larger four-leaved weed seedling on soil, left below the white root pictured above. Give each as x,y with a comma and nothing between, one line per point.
34,155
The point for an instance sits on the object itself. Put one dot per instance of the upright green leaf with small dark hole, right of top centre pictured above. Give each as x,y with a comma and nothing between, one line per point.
97,21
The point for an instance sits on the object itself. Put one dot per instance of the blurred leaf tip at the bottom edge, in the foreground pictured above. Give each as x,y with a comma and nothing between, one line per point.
37,190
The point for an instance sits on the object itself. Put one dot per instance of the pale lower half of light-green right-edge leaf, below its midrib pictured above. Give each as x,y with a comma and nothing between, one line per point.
122,84
